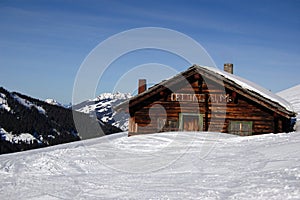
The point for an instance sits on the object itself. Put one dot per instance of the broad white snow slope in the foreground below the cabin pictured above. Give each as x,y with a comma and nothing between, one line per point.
158,166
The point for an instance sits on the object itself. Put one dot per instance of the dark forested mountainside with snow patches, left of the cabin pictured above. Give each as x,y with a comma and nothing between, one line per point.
27,123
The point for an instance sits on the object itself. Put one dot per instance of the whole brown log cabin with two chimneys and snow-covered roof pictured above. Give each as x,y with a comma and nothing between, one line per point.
207,99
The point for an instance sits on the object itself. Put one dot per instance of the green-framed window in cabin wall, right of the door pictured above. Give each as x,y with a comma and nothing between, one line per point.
240,127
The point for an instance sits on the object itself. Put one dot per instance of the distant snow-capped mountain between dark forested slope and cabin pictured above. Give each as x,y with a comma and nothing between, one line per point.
102,108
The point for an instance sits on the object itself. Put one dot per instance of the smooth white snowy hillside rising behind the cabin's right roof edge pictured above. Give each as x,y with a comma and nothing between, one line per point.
292,95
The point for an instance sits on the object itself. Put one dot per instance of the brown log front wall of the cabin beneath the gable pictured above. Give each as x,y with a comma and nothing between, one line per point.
218,108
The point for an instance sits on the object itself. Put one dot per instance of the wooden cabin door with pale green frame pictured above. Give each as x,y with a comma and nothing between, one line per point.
190,122
